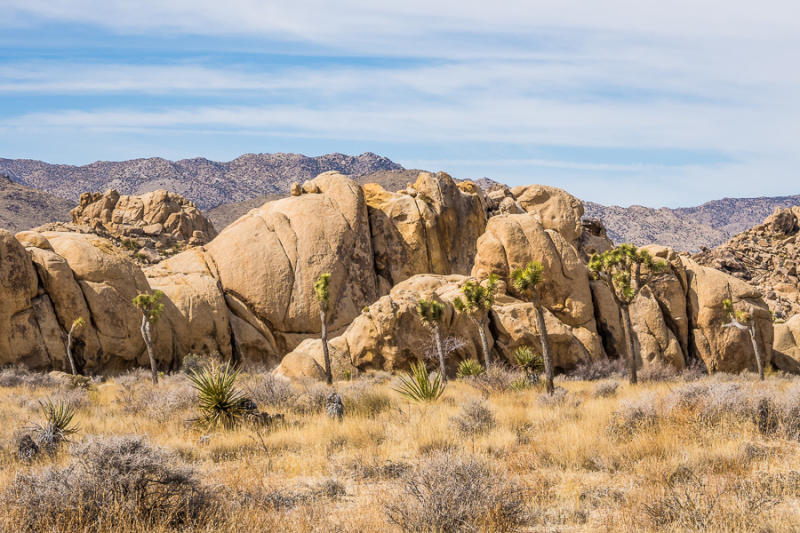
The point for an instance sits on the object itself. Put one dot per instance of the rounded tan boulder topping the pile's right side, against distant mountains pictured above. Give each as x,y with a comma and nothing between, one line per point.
555,209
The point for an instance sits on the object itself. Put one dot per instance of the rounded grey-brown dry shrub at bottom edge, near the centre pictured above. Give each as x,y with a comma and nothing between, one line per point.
453,493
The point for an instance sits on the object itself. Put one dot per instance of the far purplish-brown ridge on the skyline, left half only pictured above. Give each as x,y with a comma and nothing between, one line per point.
204,182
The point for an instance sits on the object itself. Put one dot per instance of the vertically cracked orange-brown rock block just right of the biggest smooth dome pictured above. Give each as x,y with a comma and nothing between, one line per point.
434,231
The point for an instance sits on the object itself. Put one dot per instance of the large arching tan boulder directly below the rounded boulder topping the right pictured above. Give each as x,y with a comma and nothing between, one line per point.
511,241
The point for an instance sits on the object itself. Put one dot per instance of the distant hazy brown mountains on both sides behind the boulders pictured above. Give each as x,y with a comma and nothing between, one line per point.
228,190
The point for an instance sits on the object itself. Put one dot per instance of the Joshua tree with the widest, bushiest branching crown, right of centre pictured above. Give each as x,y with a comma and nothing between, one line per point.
621,270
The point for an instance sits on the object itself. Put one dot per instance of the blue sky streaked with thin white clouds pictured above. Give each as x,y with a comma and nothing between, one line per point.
622,102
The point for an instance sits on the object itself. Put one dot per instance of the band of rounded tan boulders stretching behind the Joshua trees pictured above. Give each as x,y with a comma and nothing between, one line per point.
248,294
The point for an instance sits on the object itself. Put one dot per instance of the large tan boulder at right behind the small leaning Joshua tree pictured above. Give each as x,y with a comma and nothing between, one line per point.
724,349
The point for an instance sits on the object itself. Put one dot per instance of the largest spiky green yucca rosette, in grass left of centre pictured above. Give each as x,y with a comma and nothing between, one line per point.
220,402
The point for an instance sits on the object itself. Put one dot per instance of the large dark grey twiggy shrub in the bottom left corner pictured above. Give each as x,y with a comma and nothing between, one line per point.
109,478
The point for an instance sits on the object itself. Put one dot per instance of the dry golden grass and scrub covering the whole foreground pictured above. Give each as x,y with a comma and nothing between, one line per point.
717,454
